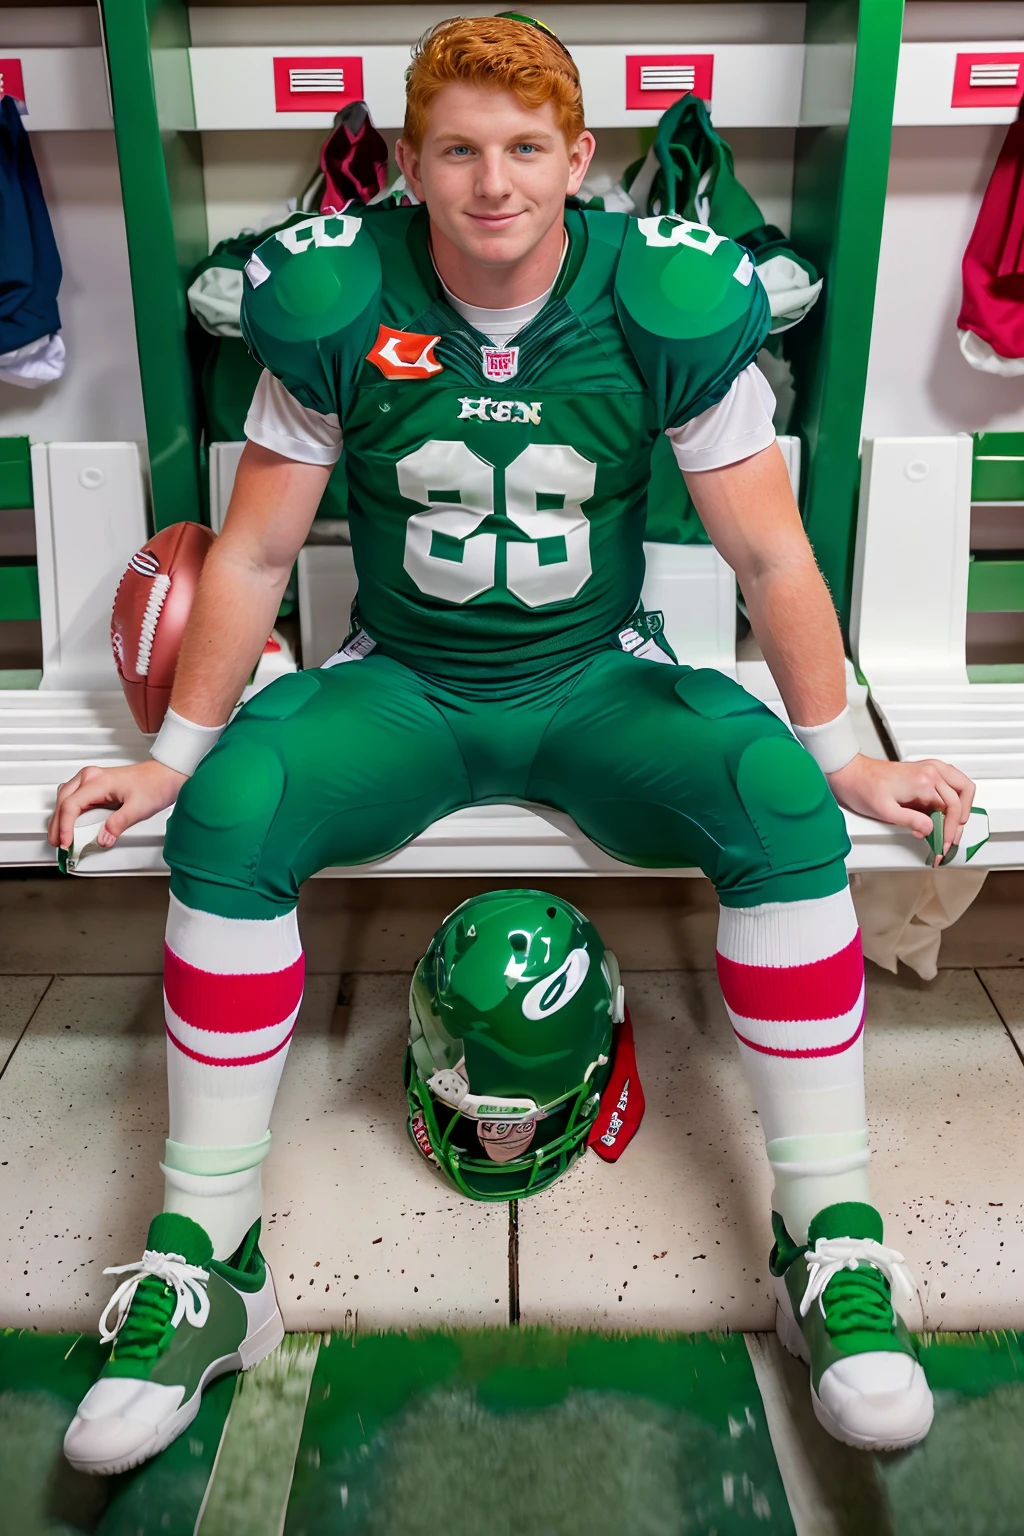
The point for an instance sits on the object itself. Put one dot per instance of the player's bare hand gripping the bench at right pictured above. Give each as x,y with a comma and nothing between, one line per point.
905,795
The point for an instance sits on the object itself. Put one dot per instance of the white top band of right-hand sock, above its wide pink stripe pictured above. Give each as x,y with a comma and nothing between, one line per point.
788,933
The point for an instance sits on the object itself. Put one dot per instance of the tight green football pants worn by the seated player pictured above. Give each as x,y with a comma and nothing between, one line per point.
664,767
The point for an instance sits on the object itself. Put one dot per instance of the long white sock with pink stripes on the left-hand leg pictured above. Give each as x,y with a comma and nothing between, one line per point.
233,990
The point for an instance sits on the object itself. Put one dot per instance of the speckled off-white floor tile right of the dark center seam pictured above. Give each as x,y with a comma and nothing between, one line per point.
682,1220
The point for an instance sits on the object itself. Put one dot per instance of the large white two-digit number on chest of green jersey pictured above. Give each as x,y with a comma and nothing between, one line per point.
540,471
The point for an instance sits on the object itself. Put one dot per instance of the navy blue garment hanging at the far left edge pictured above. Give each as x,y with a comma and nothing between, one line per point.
30,265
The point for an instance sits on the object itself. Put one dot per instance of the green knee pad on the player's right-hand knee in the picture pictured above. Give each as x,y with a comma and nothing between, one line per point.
790,804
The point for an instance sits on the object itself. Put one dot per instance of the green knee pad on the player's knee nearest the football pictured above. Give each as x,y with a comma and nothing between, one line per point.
226,810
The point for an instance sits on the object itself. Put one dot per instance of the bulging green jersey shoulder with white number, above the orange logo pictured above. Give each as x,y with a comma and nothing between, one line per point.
309,303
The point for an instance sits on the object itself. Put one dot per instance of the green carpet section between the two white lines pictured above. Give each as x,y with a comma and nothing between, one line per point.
535,1431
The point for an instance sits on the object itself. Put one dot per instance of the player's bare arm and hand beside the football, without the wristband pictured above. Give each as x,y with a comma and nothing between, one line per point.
273,508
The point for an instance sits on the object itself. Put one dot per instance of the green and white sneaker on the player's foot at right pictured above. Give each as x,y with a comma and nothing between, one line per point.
836,1313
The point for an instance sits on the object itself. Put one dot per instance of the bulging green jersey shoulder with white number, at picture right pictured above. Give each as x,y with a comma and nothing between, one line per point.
693,311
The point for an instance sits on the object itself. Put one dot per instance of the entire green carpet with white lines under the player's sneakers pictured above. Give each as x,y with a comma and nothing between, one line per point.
558,1434
